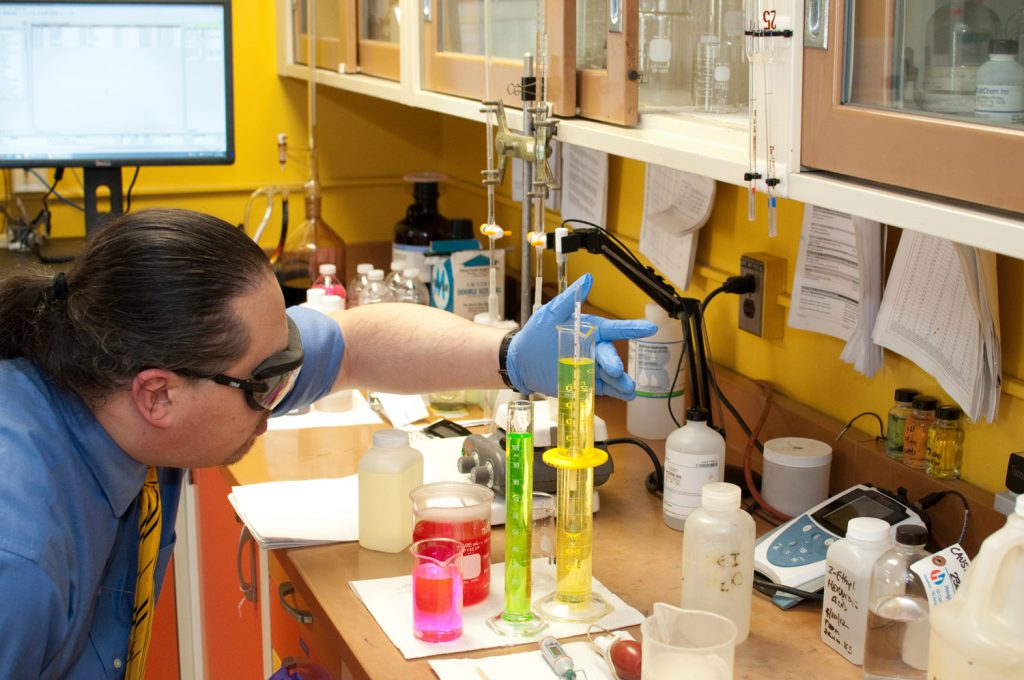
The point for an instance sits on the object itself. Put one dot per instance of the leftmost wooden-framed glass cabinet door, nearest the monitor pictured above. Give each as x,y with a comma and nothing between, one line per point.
335,34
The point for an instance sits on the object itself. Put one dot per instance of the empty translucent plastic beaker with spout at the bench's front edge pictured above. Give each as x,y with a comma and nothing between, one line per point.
702,643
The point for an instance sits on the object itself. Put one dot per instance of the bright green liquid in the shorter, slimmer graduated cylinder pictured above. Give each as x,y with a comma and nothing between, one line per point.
519,525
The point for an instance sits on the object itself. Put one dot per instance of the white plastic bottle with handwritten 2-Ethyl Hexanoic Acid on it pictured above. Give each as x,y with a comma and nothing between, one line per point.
848,577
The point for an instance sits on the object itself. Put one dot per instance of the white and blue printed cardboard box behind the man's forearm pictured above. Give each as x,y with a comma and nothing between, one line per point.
460,282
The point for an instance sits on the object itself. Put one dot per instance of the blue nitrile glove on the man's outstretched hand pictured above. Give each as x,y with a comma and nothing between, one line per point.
533,357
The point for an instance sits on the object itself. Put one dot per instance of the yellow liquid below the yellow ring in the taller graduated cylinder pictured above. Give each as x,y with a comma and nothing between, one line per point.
574,540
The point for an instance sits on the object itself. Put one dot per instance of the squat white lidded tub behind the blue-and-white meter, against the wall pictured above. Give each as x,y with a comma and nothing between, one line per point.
796,474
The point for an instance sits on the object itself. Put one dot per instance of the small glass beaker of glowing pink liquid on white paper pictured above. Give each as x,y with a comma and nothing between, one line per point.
437,589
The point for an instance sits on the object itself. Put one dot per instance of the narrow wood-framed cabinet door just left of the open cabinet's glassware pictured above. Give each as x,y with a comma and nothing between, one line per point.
608,60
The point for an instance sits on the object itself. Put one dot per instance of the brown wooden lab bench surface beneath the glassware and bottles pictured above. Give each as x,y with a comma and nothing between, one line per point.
635,556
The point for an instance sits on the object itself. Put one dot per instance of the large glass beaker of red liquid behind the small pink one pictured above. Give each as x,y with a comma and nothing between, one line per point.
459,511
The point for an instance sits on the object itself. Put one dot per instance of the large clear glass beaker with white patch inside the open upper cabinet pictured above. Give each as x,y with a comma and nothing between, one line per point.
668,41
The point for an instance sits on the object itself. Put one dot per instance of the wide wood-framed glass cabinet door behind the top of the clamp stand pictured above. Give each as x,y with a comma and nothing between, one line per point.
455,51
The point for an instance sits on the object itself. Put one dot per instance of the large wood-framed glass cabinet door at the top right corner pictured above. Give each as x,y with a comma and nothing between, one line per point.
924,95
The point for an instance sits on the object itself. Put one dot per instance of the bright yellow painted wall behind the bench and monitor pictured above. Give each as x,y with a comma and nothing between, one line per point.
367,146
